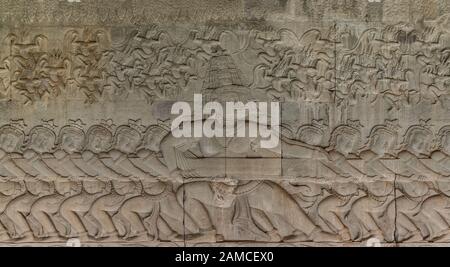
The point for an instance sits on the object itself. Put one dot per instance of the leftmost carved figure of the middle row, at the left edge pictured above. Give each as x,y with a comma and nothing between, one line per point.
11,140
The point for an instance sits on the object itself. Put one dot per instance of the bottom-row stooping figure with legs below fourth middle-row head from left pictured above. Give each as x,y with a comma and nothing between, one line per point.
102,207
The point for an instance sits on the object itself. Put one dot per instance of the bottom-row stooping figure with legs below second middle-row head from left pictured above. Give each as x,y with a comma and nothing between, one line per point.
47,207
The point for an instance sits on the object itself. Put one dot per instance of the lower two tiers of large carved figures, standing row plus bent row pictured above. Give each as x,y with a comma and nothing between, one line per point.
106,183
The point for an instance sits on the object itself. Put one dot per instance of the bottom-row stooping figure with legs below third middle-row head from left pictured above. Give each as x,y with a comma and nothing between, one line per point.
73,209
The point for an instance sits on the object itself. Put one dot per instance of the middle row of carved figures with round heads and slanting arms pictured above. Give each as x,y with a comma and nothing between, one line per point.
132,150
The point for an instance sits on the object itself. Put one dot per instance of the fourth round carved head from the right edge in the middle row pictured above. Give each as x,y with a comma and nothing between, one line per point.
345,140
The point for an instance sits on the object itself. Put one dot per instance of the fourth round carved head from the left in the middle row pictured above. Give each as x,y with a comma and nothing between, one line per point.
99,139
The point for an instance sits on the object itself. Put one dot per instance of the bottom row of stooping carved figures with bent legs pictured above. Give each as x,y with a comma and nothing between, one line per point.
144,211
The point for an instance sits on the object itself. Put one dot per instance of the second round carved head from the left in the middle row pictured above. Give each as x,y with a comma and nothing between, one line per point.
41,139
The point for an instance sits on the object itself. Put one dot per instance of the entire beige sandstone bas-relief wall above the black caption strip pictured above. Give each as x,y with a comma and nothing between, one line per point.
86,150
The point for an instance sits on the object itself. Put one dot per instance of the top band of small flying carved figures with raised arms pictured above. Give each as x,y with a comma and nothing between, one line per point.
399,64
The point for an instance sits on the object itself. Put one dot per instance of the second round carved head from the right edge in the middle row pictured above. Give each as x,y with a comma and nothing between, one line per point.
418,140
